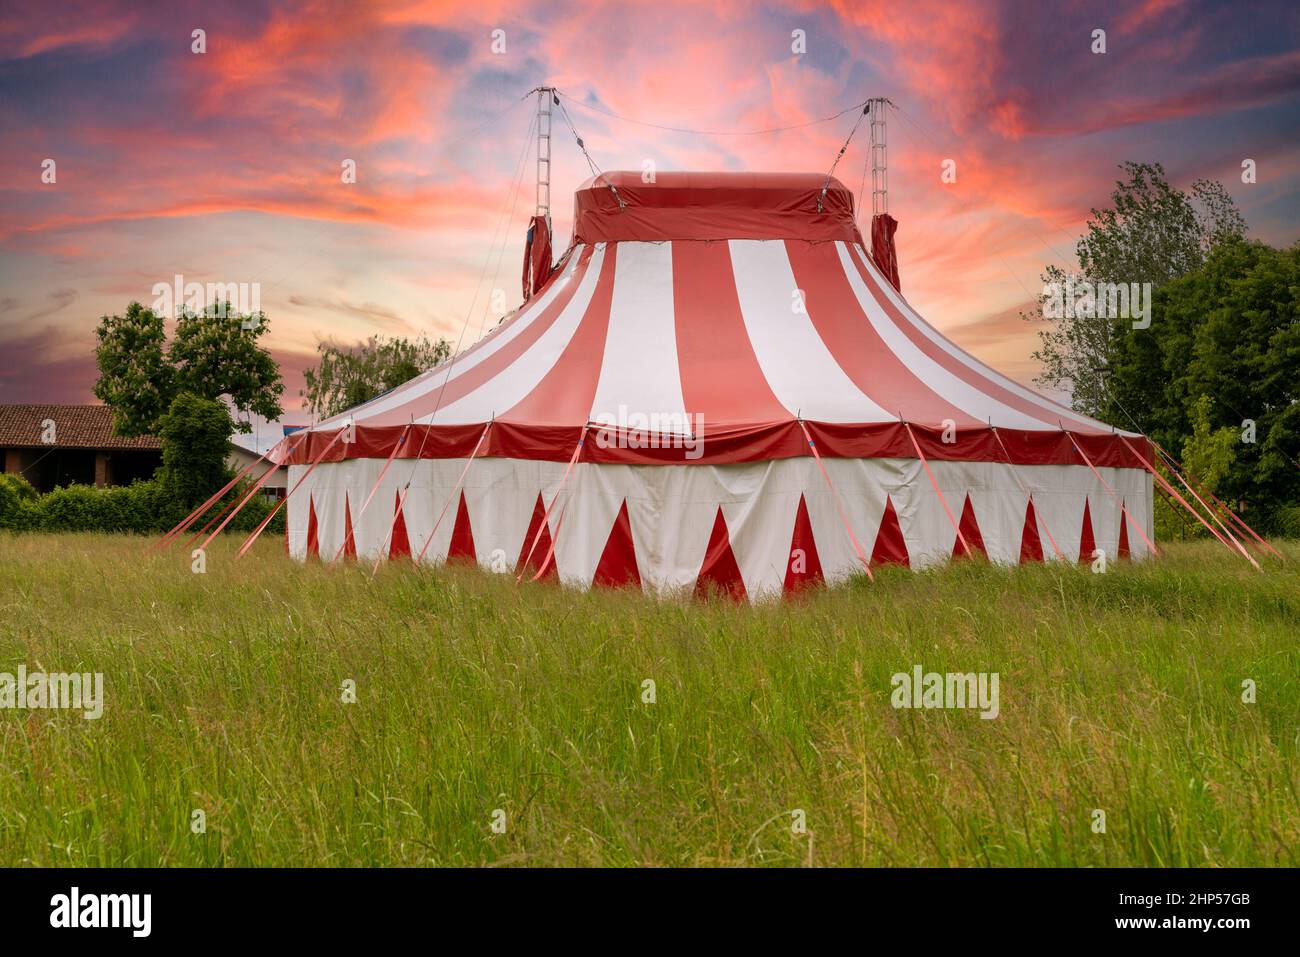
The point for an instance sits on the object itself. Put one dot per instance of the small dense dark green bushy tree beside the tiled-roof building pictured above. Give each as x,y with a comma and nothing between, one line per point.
196,435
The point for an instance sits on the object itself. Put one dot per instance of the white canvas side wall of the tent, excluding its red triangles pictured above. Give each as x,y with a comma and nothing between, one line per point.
673,512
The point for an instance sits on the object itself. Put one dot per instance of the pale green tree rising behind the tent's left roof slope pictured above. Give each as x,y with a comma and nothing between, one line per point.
349,376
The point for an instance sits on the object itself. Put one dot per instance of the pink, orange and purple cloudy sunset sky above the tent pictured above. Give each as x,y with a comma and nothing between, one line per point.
224,167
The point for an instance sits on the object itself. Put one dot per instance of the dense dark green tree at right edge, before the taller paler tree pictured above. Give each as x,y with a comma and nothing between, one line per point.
1221,361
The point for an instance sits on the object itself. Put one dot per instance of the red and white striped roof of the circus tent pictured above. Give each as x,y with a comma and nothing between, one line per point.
727,308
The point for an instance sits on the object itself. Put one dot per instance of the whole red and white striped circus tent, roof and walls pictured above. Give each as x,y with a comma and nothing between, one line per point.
716,389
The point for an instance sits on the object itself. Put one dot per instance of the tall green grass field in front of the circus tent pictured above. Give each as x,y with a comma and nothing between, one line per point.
223,692
